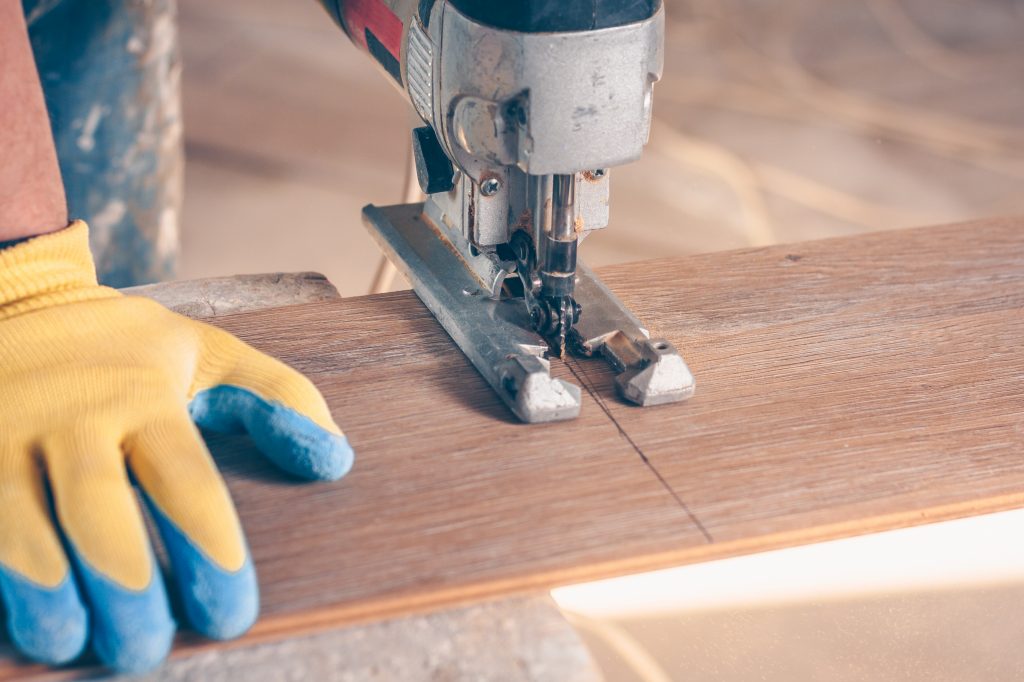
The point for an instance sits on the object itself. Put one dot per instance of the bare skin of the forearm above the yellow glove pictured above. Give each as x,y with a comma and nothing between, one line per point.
32,196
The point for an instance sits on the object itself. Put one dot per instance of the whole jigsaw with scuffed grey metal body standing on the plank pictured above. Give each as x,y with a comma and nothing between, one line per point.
528,106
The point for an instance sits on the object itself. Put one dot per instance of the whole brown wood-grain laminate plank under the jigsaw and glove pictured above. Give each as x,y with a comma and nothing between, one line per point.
845,387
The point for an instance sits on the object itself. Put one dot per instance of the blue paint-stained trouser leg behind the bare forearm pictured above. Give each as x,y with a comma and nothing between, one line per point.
111,73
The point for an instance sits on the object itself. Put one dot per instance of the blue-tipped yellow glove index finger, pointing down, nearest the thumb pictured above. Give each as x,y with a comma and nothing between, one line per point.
199,527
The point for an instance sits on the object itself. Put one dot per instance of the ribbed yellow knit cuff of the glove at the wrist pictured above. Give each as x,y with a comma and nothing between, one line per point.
51,270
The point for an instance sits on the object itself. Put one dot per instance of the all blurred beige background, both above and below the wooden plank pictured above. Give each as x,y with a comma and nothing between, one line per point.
777,121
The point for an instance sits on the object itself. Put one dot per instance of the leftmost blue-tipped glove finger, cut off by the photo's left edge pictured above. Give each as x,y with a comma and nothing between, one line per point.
47,620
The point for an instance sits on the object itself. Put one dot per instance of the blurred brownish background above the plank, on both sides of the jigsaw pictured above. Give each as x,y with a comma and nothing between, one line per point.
777,121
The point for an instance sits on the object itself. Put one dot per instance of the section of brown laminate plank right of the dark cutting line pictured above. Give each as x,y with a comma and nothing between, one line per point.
843,387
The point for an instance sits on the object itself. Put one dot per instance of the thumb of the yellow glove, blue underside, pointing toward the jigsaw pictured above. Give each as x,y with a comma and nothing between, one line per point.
283,411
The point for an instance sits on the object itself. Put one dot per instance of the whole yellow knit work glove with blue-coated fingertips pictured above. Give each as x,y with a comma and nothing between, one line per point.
100,392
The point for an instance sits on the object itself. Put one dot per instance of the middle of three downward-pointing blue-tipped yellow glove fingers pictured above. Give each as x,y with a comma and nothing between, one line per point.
133,629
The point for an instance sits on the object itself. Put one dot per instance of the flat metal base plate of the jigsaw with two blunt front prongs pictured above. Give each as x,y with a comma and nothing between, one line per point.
497,336
